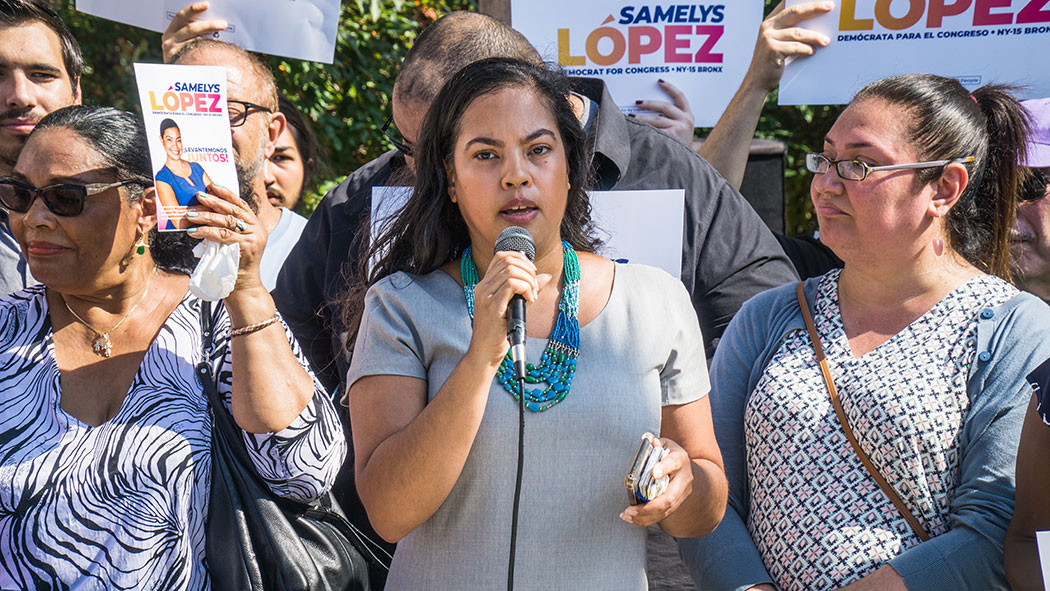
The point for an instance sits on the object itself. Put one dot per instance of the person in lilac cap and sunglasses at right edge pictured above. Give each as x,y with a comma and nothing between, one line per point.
1031,240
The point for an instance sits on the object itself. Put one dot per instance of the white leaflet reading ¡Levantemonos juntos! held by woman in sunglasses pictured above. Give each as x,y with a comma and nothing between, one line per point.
188,129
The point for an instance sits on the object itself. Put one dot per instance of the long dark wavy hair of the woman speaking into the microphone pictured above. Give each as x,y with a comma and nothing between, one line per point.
430,231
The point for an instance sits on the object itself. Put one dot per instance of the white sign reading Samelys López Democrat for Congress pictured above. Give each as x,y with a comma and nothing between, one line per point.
704,49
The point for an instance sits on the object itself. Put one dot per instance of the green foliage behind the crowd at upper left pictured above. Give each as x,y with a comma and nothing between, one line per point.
347,102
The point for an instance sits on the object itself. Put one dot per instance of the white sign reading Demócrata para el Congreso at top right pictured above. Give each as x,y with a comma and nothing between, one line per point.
977,43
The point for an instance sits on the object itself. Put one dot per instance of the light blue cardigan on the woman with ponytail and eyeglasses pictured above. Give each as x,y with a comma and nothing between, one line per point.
1012,343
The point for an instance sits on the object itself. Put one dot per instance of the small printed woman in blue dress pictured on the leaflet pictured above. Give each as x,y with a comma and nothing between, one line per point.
179,181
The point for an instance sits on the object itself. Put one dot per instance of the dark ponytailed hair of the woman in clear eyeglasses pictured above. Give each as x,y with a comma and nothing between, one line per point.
950,122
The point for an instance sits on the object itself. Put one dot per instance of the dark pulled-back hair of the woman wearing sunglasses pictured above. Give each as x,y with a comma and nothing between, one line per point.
120,139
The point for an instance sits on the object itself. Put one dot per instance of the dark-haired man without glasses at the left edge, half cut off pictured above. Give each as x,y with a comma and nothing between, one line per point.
40,69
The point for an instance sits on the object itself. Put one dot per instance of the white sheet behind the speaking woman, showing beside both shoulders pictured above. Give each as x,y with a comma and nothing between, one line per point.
643,227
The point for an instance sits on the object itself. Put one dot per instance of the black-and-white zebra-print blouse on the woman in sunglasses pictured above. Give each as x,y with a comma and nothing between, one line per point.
123,505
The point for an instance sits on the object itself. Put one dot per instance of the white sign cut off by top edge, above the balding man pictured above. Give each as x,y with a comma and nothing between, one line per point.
303,30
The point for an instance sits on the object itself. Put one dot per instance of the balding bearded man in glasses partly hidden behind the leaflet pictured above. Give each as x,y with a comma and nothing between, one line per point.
256,124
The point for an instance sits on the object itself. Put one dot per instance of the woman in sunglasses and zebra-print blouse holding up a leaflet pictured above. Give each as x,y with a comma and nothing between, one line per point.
106,433
